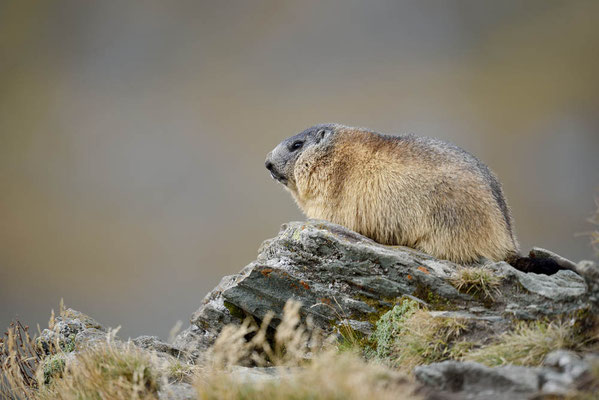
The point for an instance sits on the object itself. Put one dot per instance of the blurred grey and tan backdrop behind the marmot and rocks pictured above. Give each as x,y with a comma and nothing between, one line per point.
133,134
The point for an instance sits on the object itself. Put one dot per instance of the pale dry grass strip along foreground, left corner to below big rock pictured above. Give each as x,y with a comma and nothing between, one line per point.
309,367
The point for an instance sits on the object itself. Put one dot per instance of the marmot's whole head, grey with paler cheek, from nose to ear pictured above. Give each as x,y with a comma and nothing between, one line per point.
301,150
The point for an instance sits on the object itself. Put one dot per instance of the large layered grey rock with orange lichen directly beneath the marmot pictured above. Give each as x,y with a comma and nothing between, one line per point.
340,277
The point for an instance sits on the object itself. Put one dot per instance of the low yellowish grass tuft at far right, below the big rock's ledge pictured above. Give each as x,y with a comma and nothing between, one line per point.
528,344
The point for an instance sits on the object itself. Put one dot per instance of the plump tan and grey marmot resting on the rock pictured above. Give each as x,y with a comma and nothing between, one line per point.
413,191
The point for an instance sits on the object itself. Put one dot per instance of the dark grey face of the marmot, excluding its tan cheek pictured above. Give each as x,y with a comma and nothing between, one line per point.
281,161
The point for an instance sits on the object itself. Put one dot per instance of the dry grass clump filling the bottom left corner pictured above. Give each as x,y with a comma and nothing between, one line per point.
104,371
